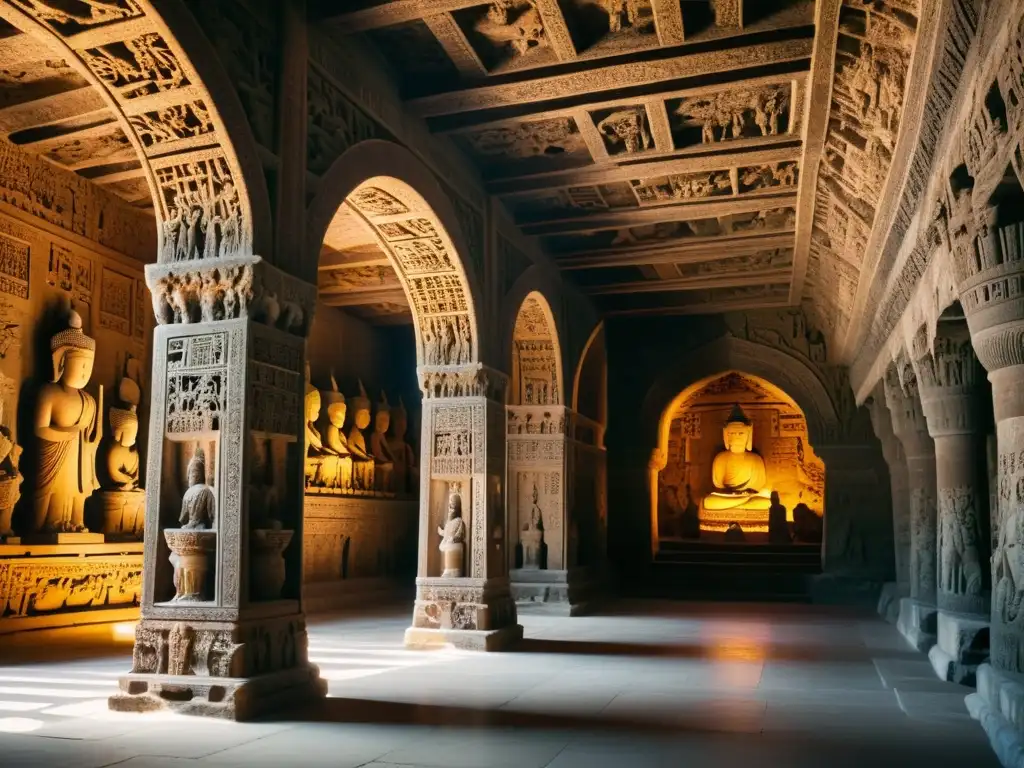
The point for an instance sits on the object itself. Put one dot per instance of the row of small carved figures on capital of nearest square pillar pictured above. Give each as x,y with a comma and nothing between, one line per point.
218,295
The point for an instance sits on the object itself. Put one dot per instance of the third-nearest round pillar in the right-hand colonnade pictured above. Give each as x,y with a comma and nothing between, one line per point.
918,613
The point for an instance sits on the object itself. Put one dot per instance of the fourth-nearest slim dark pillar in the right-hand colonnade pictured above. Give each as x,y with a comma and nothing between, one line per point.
900,480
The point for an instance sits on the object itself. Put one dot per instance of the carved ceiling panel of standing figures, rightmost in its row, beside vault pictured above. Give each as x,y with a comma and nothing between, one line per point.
731,115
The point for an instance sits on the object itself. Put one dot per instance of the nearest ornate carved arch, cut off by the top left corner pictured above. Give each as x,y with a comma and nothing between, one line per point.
177,108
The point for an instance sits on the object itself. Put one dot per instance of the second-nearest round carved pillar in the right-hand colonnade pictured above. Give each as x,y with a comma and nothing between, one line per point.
953,399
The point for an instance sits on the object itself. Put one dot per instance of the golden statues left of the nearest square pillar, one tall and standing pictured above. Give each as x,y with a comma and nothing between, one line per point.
69,431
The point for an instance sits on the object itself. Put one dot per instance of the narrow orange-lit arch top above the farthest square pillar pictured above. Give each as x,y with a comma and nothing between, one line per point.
537,358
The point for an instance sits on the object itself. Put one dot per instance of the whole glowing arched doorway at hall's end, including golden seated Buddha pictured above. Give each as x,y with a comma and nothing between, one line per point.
707,485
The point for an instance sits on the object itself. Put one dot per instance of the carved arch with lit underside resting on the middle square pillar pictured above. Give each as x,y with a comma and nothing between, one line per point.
417,227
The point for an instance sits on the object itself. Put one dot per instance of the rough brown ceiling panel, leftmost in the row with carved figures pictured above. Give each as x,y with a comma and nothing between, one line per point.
527,146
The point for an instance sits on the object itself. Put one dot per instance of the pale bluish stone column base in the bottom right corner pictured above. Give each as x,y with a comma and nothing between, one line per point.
999,707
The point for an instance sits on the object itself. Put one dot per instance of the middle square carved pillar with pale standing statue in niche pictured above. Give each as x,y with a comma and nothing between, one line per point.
463,595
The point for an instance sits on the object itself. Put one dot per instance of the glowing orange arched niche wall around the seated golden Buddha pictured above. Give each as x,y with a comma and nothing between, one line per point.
692,438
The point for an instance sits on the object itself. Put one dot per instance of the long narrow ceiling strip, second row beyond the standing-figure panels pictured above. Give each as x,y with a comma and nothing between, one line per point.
769,221
